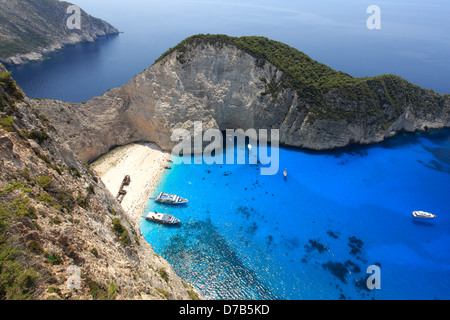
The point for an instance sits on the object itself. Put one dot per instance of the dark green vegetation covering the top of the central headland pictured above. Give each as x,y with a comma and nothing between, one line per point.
315,82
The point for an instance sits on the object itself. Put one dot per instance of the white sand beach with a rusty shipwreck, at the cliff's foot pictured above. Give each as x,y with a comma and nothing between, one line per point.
143,162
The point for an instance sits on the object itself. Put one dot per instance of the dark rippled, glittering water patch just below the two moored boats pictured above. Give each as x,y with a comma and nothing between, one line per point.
201,254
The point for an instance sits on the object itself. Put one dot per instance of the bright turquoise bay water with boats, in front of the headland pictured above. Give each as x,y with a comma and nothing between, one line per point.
313,234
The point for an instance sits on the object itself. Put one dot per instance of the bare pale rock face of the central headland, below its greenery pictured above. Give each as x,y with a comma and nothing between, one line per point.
222,89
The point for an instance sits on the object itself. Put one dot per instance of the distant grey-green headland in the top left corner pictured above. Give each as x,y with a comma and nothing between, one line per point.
30,29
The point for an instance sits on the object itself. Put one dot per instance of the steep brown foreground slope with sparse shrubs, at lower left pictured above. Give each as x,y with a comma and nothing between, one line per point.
59,223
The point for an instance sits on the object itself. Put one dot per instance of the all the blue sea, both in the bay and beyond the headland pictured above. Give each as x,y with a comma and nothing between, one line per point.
314,234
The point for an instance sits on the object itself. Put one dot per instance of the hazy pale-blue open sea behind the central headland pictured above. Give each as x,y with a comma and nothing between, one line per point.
412,42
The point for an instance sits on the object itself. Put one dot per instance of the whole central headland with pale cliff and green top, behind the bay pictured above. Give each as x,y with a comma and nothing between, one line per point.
228,84
